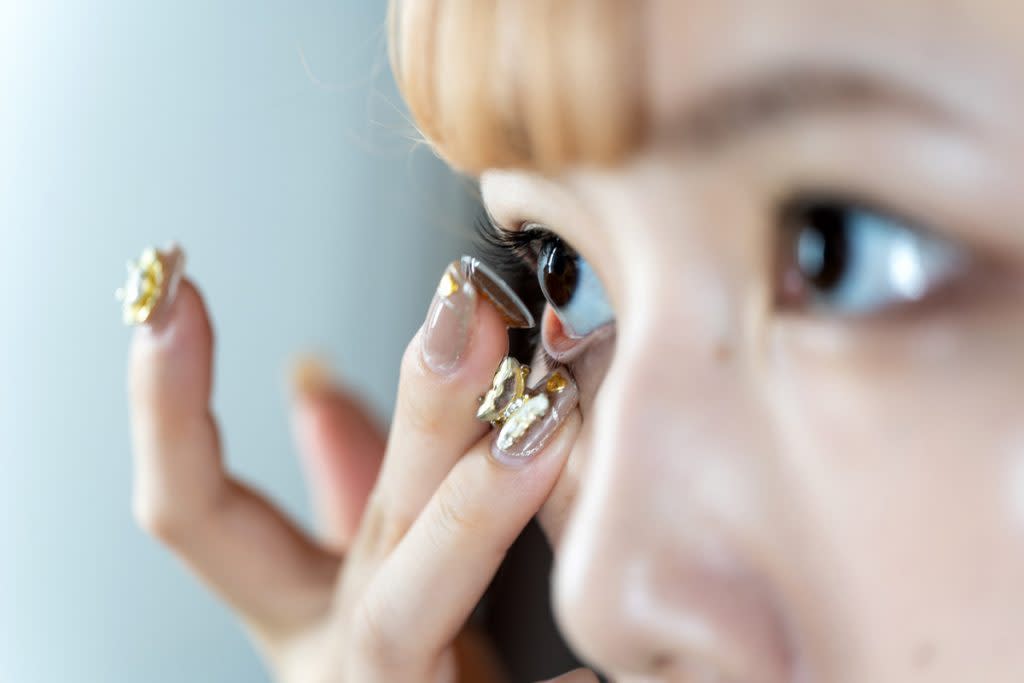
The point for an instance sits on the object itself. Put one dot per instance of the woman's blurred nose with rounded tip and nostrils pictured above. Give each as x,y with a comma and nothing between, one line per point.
661,573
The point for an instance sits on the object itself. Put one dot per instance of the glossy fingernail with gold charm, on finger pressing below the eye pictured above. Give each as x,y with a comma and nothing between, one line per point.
535,418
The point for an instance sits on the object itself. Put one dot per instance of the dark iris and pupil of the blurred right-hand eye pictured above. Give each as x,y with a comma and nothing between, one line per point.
822,246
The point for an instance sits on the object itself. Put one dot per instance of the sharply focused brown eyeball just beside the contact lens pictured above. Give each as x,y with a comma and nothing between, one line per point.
572,288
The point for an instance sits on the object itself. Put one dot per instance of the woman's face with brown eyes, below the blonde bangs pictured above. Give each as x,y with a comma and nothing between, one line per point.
803,453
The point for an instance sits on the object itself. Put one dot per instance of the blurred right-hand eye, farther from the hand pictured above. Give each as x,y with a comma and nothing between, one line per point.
847,260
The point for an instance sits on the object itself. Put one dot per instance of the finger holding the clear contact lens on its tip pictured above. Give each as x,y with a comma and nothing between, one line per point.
445,369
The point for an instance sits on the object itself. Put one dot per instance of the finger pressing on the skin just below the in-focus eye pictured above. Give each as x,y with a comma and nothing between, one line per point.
437,575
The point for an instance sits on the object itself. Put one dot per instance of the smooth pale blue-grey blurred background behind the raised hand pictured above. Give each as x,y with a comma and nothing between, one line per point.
268,139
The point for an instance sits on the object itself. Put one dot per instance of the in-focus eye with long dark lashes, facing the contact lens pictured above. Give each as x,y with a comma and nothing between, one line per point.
567,281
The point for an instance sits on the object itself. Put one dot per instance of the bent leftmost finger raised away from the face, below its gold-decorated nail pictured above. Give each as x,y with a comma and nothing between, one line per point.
237,542
